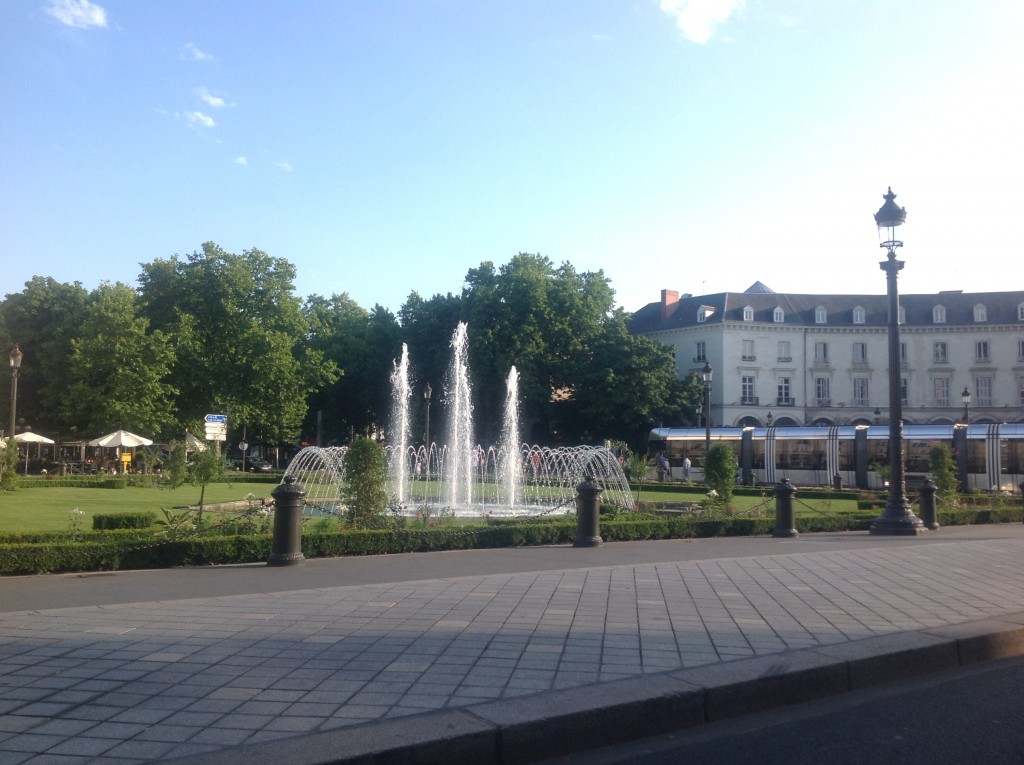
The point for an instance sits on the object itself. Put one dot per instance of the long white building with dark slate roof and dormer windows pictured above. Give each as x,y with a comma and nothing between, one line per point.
823,360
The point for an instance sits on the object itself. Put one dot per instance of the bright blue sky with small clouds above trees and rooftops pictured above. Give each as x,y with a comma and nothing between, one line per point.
387,147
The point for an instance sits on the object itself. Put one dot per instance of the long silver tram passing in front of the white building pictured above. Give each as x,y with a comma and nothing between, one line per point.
990,456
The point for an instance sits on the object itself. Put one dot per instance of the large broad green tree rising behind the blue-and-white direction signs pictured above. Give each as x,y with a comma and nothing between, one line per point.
241,338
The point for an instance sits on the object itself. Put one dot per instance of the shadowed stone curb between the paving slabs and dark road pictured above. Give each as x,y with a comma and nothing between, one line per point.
532,729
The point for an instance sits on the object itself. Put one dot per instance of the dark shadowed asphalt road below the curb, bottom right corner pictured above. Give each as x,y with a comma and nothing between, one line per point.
960,717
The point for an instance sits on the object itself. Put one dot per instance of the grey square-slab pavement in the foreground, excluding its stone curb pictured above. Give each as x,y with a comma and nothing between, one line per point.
149,682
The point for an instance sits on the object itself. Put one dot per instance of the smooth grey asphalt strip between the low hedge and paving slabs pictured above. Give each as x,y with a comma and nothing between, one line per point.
70,590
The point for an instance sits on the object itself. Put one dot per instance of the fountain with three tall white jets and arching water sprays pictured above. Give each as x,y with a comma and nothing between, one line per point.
458,478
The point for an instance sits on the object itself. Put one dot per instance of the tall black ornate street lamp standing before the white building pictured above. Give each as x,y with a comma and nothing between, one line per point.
899,519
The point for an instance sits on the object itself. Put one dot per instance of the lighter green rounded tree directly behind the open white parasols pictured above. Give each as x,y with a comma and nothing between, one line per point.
117,369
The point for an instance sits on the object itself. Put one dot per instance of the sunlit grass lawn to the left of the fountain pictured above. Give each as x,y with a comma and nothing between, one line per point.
47,509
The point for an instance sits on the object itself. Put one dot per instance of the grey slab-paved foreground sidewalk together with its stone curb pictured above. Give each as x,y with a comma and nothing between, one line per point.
496,668
